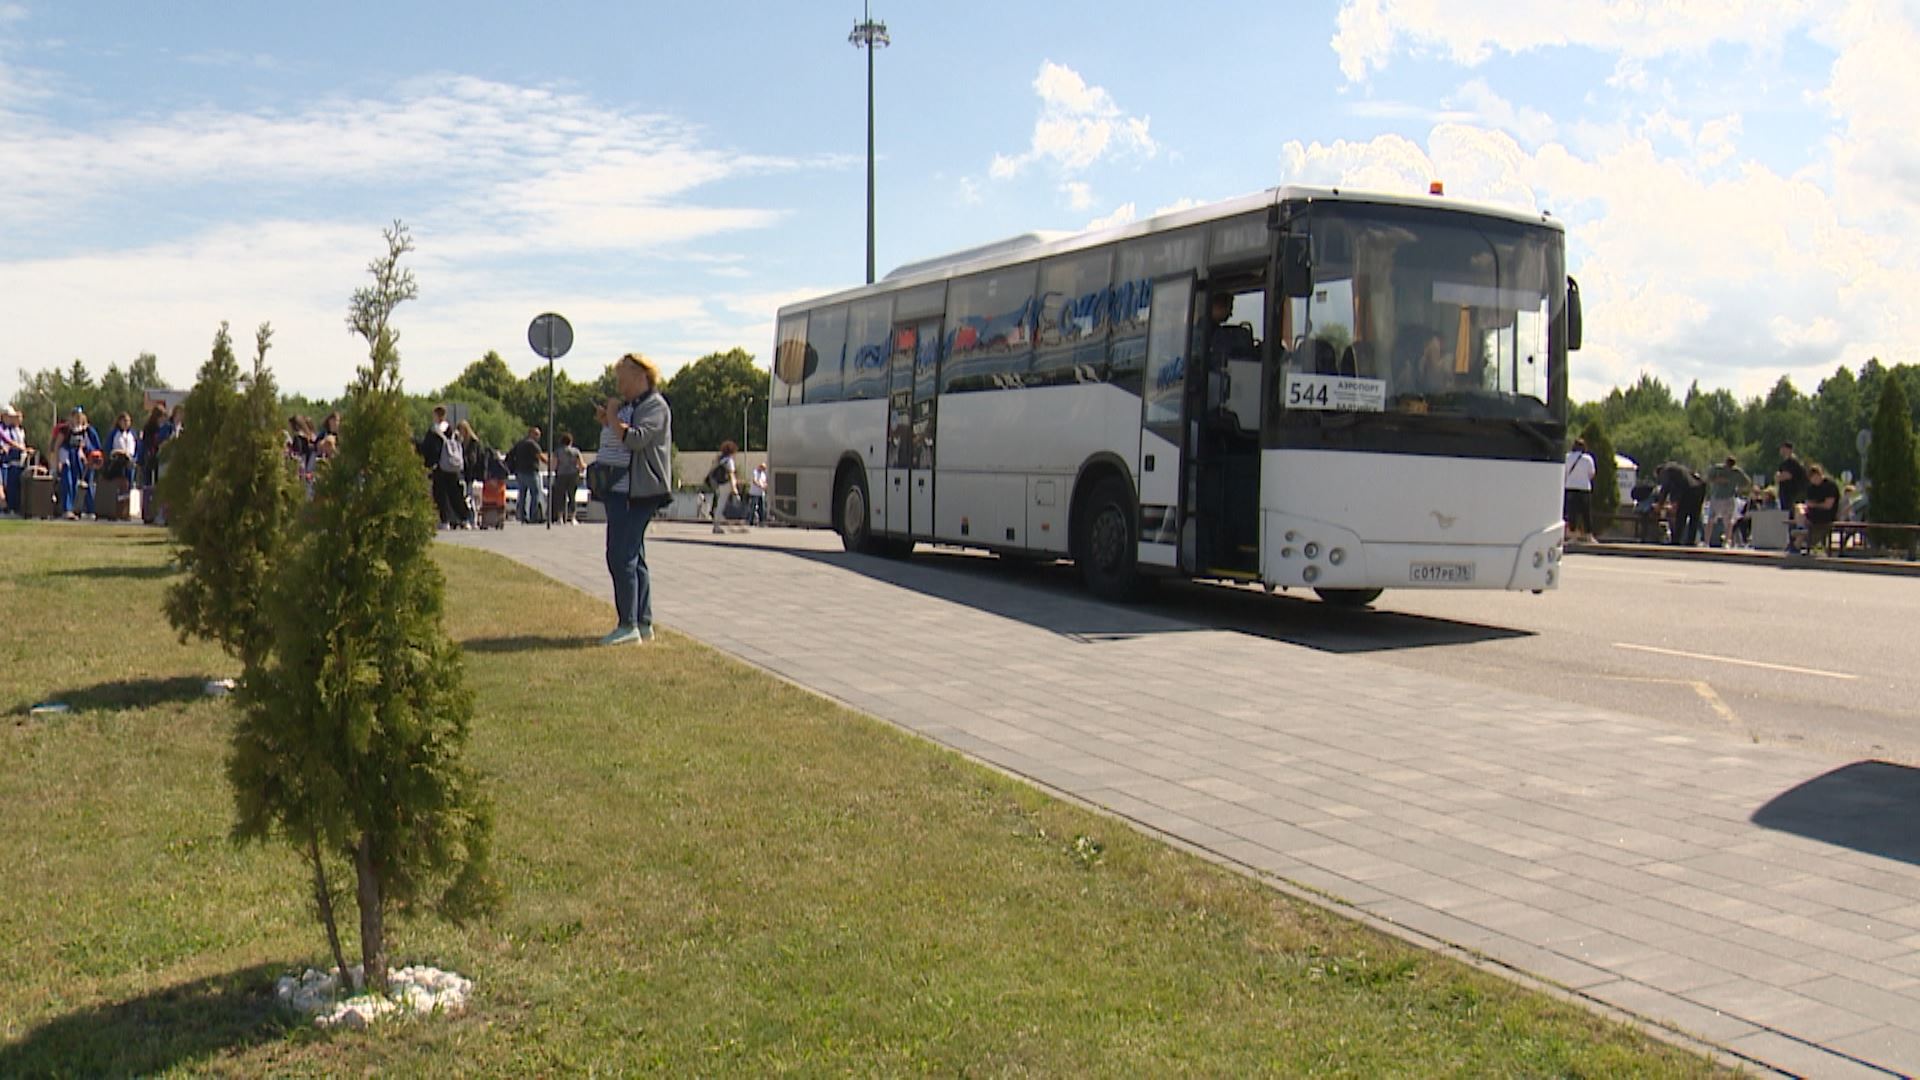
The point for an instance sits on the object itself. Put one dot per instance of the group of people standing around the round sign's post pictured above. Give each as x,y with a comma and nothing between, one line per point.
462,464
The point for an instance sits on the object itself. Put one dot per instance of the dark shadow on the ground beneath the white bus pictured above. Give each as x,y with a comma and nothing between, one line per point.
1049,597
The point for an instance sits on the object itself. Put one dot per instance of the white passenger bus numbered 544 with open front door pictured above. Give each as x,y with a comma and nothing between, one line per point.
1305,387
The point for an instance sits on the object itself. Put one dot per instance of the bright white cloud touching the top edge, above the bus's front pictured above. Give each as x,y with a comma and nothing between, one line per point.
1470,32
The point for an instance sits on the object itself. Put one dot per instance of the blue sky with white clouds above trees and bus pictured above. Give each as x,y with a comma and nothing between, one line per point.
1740,182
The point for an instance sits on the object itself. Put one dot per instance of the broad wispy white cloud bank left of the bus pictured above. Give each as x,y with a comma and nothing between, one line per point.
519,197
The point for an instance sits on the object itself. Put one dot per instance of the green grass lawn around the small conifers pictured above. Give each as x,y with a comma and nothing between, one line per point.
709,873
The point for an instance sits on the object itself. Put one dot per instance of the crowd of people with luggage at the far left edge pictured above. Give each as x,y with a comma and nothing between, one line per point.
85,462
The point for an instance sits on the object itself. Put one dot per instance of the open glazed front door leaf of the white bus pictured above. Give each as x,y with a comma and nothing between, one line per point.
1163,420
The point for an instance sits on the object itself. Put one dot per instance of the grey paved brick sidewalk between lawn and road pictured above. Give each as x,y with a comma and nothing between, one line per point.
1602,852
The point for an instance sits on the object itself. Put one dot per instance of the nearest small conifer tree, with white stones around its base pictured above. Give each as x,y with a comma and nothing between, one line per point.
356,725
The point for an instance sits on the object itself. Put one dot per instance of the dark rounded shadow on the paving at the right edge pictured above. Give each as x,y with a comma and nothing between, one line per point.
1869,808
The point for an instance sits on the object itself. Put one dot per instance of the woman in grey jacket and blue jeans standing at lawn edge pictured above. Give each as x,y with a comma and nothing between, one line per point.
636,433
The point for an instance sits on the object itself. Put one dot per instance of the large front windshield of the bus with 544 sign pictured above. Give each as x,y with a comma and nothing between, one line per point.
1426,312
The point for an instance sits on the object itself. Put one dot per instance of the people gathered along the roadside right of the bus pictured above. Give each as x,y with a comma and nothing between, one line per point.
1681,506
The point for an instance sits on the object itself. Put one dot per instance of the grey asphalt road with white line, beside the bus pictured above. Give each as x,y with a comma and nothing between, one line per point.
1781,656
